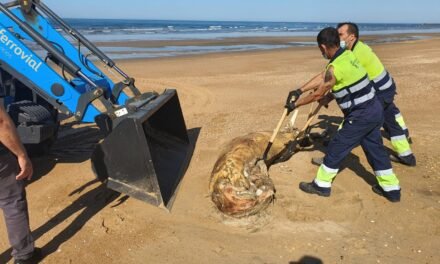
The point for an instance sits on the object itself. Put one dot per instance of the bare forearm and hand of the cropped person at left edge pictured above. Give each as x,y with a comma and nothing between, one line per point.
9,138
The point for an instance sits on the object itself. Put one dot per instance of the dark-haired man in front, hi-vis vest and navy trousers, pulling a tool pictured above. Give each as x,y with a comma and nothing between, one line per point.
347,81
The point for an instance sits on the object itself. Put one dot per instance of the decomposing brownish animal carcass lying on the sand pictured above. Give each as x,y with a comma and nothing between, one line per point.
238,186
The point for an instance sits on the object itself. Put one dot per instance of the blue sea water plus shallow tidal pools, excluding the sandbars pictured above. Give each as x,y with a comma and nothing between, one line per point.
123,30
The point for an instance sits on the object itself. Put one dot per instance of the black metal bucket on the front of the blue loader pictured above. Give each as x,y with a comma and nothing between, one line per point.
147,153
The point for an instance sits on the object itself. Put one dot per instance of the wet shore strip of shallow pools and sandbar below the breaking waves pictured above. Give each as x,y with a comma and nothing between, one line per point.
150,49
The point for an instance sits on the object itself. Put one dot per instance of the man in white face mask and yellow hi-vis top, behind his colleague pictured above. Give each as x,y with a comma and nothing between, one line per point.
385,88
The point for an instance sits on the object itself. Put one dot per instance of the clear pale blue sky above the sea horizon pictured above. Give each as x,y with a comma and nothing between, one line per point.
367,11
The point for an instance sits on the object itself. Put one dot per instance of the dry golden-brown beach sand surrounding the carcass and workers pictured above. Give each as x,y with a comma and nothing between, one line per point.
228,95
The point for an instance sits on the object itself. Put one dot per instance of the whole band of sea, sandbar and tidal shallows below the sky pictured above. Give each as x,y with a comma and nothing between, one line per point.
133,39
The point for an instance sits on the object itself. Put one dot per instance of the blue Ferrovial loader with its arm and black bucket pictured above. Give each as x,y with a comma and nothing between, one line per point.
44,74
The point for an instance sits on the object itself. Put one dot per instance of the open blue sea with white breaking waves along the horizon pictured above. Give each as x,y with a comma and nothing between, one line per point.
103,30
